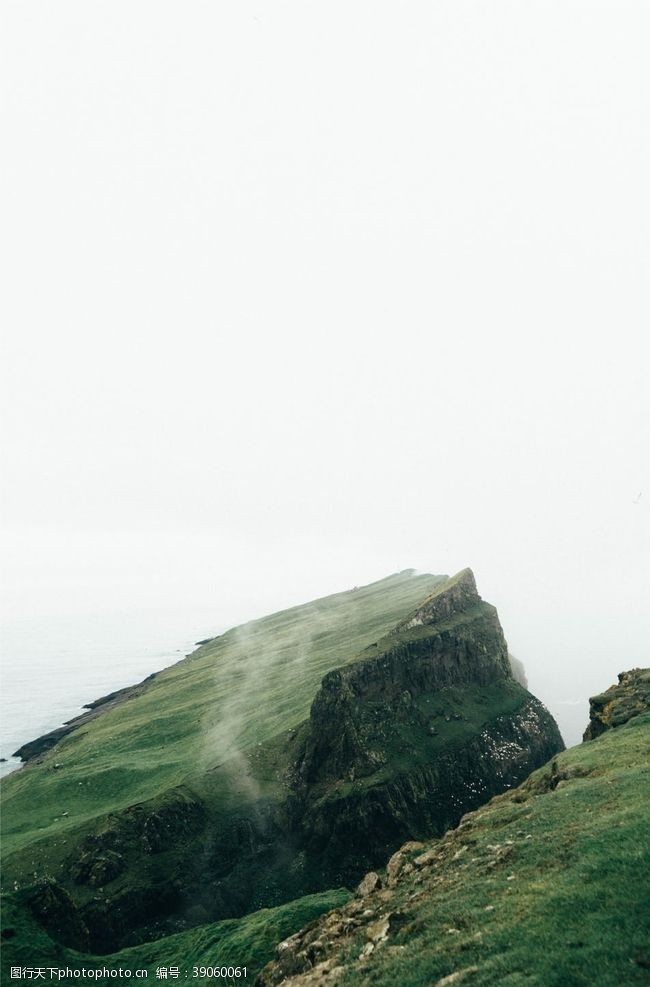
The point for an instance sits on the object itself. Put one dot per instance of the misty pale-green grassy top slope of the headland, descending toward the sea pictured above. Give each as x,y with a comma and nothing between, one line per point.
231,694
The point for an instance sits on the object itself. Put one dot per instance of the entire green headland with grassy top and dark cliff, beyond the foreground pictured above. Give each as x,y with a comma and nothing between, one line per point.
215,789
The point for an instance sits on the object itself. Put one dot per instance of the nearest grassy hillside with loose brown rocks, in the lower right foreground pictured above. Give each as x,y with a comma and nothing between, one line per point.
547,885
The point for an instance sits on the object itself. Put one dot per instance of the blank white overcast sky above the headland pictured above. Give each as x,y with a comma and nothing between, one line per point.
297,295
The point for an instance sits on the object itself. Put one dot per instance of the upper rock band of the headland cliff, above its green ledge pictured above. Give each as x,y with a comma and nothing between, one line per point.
454,639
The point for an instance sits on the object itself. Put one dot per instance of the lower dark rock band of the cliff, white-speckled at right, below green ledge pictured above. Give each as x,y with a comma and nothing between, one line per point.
347,834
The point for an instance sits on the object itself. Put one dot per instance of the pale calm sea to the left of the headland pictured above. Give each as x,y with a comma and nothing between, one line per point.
50,667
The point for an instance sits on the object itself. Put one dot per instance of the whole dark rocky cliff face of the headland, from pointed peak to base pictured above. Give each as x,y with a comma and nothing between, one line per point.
426,725
